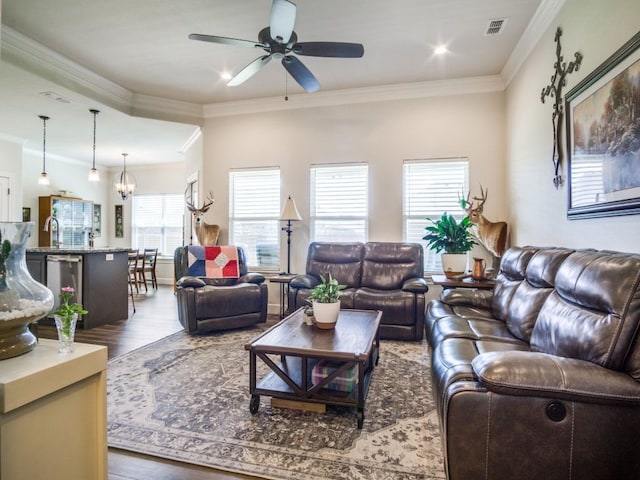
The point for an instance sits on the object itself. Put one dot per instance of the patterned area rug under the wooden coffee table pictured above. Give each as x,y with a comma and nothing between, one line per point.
187,398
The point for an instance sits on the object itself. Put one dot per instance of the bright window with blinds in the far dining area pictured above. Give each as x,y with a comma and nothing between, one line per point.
157,222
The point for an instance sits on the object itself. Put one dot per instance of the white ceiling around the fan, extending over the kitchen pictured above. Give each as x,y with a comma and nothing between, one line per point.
140,50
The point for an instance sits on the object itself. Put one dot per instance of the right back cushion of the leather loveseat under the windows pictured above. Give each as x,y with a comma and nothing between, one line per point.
386,266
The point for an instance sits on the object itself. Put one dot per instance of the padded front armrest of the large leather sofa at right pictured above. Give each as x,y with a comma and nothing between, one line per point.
542,375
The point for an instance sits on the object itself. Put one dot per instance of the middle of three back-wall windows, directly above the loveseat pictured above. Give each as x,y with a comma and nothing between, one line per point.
339,203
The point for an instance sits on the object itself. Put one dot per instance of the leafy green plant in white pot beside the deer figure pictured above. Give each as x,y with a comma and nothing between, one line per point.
454,239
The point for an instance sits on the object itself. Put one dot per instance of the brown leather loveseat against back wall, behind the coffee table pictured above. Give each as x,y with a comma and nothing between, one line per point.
378,275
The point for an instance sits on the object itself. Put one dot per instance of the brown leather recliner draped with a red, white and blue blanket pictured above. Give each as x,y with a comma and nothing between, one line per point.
209,304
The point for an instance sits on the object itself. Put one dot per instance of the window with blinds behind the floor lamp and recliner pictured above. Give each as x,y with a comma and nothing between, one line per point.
254,209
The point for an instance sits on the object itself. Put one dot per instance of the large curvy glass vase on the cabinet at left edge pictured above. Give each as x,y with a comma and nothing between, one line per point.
22,299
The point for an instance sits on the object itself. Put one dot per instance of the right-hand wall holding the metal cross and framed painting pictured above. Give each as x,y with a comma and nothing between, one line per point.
537,211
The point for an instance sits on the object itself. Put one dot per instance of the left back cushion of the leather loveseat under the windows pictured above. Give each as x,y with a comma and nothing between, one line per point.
342,260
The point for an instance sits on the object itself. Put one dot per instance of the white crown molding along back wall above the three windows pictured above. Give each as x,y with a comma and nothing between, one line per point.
406,91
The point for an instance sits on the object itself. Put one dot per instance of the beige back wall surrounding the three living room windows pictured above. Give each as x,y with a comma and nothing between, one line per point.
383,134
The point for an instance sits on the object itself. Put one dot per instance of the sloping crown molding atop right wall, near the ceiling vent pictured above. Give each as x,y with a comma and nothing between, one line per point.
546,13
